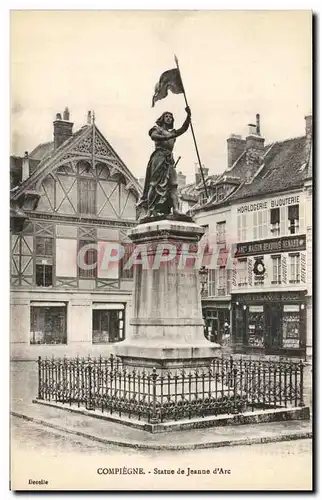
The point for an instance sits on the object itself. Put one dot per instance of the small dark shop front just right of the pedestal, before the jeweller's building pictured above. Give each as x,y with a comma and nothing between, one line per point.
217,320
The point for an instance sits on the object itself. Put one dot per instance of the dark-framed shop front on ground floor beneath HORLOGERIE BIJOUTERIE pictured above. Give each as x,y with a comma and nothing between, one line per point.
269,323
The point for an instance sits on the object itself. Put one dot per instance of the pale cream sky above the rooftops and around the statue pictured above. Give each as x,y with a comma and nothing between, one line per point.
234,64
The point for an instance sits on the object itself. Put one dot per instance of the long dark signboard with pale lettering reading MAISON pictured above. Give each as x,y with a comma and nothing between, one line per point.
286,244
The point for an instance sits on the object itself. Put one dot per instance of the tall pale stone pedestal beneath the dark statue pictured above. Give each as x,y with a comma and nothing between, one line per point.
167,323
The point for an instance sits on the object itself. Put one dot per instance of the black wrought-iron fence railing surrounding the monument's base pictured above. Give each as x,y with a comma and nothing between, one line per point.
223,386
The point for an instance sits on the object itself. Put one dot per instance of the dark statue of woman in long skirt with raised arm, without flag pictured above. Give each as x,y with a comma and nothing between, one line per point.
160,193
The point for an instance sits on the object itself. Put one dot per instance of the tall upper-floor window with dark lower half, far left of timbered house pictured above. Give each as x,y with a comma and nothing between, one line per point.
44,262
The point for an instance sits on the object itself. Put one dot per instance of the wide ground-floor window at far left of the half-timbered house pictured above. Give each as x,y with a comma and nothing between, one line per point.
48,324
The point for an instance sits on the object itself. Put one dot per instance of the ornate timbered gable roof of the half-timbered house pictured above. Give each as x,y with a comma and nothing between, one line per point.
78,145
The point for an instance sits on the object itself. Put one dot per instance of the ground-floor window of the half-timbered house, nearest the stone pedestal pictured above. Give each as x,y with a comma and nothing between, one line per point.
108,324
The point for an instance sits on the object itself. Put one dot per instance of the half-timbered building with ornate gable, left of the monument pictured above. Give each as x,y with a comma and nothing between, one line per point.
68,194
